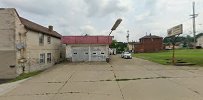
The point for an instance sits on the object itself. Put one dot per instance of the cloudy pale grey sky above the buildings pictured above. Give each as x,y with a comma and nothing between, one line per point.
96,17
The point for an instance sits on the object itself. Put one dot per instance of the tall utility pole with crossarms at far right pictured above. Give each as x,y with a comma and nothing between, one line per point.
194,15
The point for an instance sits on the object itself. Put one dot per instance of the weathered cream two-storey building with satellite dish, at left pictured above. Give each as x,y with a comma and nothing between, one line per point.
25,46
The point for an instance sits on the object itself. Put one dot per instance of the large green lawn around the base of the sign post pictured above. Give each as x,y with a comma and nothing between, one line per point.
186,55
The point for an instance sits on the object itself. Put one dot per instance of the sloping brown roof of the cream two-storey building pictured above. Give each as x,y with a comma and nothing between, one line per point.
38,28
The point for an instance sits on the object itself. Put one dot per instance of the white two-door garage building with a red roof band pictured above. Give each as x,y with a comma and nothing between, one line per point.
87,48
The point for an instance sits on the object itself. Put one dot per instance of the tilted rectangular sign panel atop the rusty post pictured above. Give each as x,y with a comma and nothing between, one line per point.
175,30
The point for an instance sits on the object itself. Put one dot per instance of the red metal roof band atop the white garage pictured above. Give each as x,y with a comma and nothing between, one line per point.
87,39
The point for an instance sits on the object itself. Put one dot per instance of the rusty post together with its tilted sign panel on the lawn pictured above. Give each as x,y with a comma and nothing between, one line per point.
172,33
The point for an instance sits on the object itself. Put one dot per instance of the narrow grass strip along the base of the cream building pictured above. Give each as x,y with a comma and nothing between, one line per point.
25,75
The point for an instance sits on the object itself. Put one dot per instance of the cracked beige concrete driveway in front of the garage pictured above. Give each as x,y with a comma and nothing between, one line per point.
121,79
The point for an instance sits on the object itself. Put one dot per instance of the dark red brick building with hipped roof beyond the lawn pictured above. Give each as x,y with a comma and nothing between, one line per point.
149,43
